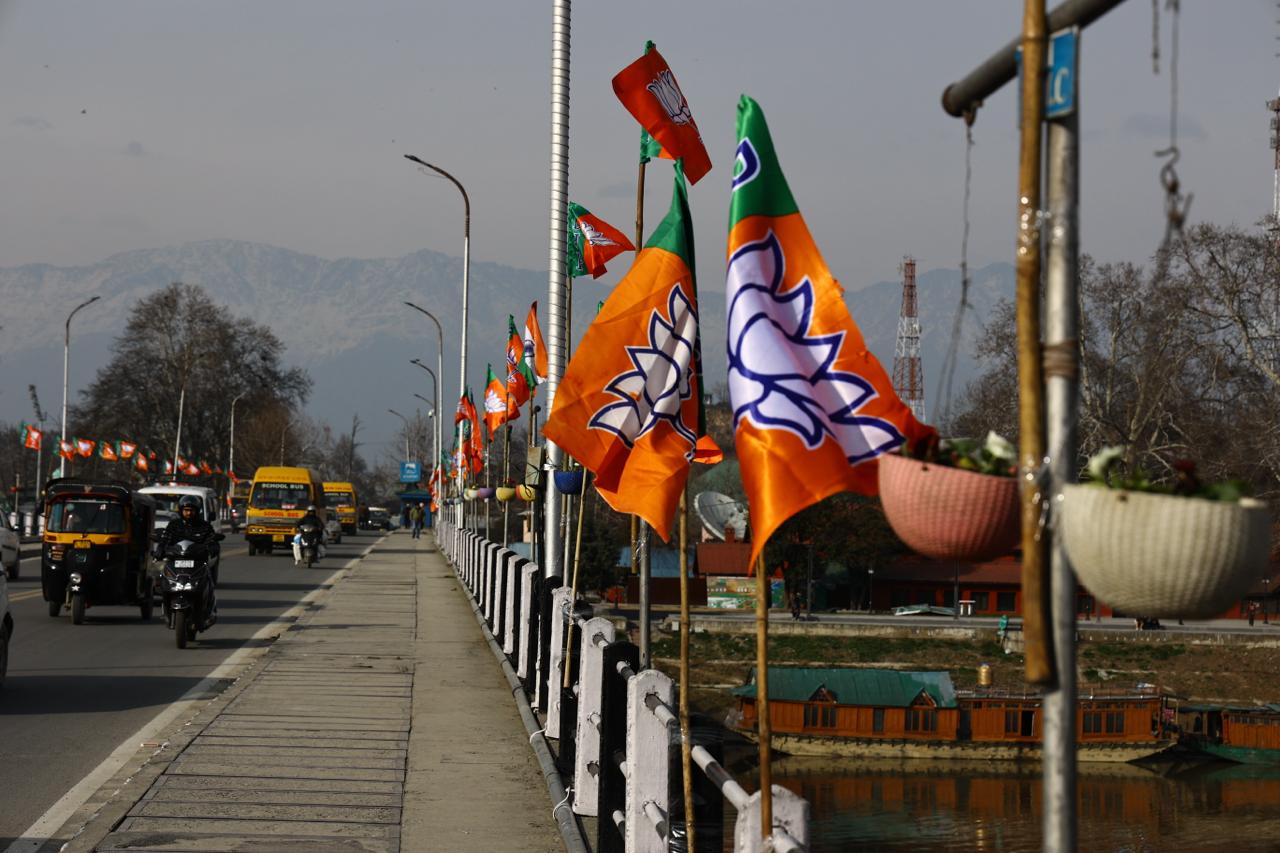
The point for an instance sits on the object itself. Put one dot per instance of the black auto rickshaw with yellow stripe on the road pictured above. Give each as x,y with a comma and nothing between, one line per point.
98,540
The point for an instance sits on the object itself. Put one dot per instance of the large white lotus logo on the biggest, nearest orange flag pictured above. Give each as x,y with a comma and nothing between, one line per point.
780,375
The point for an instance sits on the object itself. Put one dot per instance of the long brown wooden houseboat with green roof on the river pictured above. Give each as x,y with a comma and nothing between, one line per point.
848,711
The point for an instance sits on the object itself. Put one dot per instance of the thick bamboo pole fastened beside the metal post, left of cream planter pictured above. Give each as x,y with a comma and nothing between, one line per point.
1031,382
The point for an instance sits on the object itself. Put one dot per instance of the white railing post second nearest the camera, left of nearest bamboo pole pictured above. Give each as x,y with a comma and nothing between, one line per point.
648,760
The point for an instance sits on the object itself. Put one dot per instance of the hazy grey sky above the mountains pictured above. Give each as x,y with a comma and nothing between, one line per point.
144,124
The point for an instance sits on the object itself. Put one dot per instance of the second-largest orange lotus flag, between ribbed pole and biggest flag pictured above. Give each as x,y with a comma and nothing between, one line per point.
629,407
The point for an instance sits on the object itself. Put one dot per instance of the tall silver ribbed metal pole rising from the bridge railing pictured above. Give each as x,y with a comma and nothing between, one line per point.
557,341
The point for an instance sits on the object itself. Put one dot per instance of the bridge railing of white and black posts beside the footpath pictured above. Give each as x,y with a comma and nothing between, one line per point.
618,731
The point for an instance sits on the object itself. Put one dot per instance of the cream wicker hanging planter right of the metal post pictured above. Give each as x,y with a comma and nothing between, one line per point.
1164,555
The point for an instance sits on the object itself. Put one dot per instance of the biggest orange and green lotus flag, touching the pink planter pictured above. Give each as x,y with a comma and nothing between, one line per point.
812,408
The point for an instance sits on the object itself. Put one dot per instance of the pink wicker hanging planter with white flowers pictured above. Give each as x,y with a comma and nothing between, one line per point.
949,513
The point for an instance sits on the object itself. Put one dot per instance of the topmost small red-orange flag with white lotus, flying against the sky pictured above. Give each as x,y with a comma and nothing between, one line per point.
650,92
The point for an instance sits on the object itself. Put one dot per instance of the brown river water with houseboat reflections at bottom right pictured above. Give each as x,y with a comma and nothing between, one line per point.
924,806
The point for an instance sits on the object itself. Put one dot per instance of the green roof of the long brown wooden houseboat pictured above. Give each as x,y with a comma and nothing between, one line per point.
851,686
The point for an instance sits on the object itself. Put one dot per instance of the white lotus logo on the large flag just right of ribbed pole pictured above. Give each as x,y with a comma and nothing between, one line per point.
661,381
